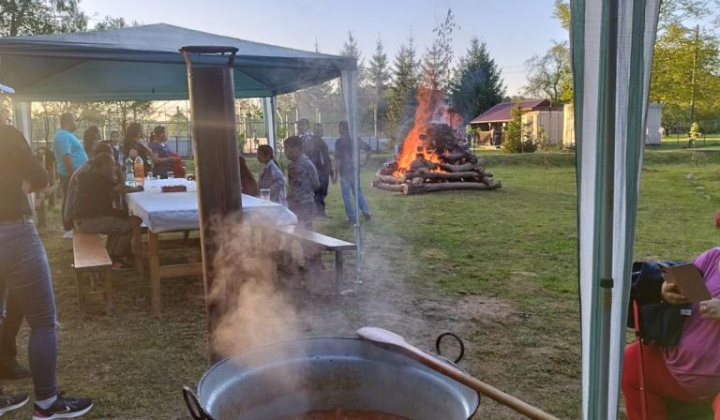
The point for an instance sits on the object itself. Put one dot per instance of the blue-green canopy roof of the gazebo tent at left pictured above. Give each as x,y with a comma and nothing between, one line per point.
144,63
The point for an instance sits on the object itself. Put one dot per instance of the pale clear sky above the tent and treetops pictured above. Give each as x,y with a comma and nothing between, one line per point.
514,30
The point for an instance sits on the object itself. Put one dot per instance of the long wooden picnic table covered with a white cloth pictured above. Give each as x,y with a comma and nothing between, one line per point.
162,213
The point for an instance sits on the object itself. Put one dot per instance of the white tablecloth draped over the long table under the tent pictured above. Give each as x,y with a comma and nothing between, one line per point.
168,212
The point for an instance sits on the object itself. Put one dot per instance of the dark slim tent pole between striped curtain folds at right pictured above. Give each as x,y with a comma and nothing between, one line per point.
606,280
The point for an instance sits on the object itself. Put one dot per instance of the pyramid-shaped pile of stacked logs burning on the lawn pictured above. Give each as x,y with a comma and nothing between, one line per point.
453,168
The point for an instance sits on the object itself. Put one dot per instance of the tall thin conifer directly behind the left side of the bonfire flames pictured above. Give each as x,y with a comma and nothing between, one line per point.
401,98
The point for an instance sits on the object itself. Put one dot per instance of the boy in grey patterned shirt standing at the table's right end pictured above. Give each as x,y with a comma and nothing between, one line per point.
304,181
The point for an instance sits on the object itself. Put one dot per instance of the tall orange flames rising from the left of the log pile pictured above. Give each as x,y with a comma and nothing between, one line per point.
431,109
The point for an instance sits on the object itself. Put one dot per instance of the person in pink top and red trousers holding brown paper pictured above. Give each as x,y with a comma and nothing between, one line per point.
689,371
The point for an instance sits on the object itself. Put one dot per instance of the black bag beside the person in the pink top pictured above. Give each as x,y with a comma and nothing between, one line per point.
661,323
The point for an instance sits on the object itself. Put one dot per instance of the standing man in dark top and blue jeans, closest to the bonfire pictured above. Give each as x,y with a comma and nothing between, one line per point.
346,169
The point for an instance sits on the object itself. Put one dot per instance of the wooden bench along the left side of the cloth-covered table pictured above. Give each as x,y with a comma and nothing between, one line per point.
92,262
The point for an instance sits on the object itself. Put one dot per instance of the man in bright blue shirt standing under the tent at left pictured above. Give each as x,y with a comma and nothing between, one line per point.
69,155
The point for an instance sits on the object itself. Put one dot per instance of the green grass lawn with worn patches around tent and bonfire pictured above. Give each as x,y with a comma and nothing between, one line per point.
497,267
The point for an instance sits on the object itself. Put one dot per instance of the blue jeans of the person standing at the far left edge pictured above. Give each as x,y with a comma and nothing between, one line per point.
25,272
